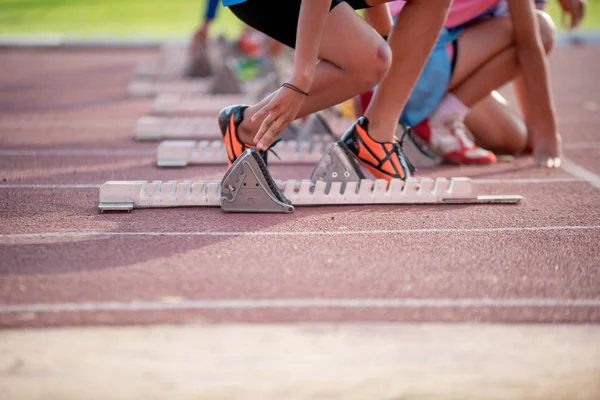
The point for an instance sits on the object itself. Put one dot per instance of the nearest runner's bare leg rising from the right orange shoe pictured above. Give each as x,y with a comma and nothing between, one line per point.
412,39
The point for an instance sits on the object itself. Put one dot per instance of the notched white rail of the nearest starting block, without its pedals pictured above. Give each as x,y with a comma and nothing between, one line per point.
127,195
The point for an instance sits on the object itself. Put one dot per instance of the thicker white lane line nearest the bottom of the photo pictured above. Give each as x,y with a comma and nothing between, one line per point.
300,303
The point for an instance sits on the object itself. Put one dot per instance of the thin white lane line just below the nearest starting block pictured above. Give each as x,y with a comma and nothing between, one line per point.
299,233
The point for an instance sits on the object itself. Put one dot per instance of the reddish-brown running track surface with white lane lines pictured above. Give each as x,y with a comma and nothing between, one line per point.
67,125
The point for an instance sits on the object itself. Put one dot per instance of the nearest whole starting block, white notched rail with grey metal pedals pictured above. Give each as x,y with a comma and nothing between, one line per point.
248,187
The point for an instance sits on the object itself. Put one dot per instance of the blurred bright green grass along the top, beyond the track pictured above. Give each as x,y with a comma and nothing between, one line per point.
155,18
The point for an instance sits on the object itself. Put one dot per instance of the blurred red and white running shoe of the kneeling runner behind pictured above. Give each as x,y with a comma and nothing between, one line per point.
452,140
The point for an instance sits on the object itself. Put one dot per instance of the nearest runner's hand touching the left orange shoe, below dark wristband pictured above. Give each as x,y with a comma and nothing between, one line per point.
278,113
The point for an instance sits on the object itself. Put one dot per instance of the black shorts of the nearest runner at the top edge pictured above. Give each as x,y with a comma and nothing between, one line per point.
278,19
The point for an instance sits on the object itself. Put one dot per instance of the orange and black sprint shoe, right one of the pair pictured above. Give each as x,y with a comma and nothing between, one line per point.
383,160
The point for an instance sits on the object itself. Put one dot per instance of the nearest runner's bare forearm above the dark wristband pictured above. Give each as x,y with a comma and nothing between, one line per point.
311,22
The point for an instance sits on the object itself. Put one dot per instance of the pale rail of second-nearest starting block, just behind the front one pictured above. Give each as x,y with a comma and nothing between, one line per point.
181,153
